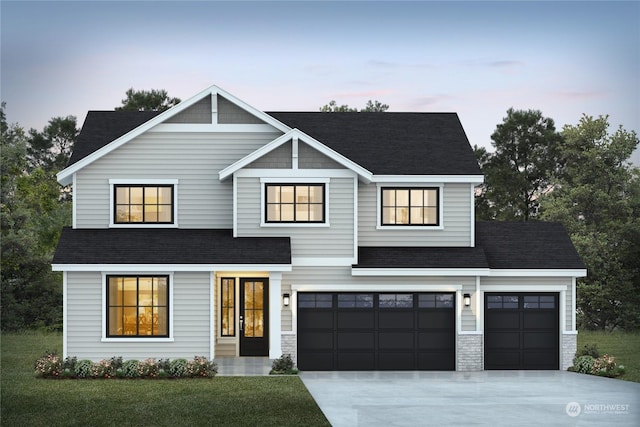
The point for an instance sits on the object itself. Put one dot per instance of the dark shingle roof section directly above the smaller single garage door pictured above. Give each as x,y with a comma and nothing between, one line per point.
530,245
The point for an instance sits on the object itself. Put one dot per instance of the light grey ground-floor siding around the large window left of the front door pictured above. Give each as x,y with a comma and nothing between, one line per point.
191,296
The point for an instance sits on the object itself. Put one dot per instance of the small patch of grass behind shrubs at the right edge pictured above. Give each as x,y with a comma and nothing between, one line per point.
625,346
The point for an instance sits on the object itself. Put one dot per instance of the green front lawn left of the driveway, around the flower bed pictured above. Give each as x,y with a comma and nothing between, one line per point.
221,401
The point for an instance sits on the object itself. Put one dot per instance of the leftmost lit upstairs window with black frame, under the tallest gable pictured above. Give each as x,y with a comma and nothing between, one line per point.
143,204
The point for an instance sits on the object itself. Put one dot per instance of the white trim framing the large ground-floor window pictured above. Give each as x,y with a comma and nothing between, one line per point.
105,309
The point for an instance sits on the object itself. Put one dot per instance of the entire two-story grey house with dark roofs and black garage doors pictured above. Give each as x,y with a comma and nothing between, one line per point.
347,240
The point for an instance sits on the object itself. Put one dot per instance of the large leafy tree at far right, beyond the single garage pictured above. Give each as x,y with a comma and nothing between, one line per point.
597,198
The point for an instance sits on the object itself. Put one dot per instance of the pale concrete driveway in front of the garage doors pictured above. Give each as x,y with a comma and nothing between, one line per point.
496,398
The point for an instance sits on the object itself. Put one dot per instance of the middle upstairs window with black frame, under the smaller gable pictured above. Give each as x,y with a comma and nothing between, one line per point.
295,203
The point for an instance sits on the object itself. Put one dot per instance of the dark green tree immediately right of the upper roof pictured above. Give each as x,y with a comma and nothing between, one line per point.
521,168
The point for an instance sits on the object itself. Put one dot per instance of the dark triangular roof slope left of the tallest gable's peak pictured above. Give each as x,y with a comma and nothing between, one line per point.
102,127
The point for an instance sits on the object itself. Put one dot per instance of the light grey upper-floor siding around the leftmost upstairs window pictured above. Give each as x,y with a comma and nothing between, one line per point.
194,159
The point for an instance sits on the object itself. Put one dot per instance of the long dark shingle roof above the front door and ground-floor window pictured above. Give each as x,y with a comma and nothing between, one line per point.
168,246
